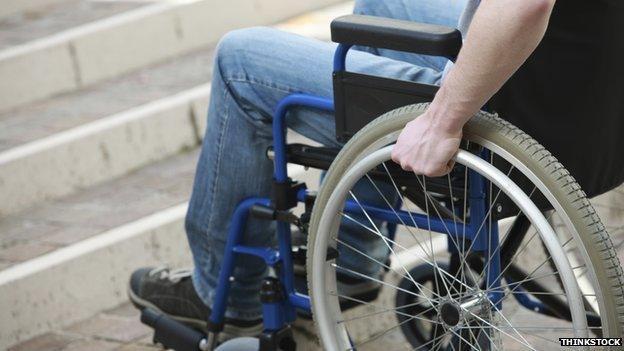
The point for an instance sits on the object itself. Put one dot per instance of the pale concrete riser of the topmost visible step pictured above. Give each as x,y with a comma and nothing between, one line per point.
102,49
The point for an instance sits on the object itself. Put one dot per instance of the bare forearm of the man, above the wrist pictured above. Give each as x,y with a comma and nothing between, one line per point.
501,37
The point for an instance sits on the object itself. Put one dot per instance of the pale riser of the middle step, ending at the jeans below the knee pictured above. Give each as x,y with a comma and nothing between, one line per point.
96,152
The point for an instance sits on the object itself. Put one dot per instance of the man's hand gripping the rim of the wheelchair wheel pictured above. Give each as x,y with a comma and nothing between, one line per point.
426,147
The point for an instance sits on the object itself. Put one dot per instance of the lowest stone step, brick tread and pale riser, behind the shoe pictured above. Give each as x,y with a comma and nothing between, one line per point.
82,248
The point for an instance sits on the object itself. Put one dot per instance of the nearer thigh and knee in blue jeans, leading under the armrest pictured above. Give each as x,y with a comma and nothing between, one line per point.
261,66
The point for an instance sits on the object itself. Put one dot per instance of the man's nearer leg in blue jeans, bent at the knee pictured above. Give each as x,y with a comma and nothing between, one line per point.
254,70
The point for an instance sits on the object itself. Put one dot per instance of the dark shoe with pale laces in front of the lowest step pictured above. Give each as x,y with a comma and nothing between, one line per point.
172,293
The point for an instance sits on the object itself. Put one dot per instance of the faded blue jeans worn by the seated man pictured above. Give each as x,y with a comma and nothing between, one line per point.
254,69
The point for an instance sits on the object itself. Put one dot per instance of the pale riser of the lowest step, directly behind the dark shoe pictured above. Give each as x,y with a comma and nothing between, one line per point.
74,283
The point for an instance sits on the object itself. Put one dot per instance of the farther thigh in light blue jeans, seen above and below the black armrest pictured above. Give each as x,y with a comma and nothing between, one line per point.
441,12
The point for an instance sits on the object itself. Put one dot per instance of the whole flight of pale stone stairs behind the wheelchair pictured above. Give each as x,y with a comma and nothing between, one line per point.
100,127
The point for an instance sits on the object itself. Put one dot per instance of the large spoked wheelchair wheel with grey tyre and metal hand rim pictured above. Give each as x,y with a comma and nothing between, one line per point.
514,282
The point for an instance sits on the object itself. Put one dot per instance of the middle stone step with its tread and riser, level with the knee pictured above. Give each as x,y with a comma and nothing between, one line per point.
57,146
